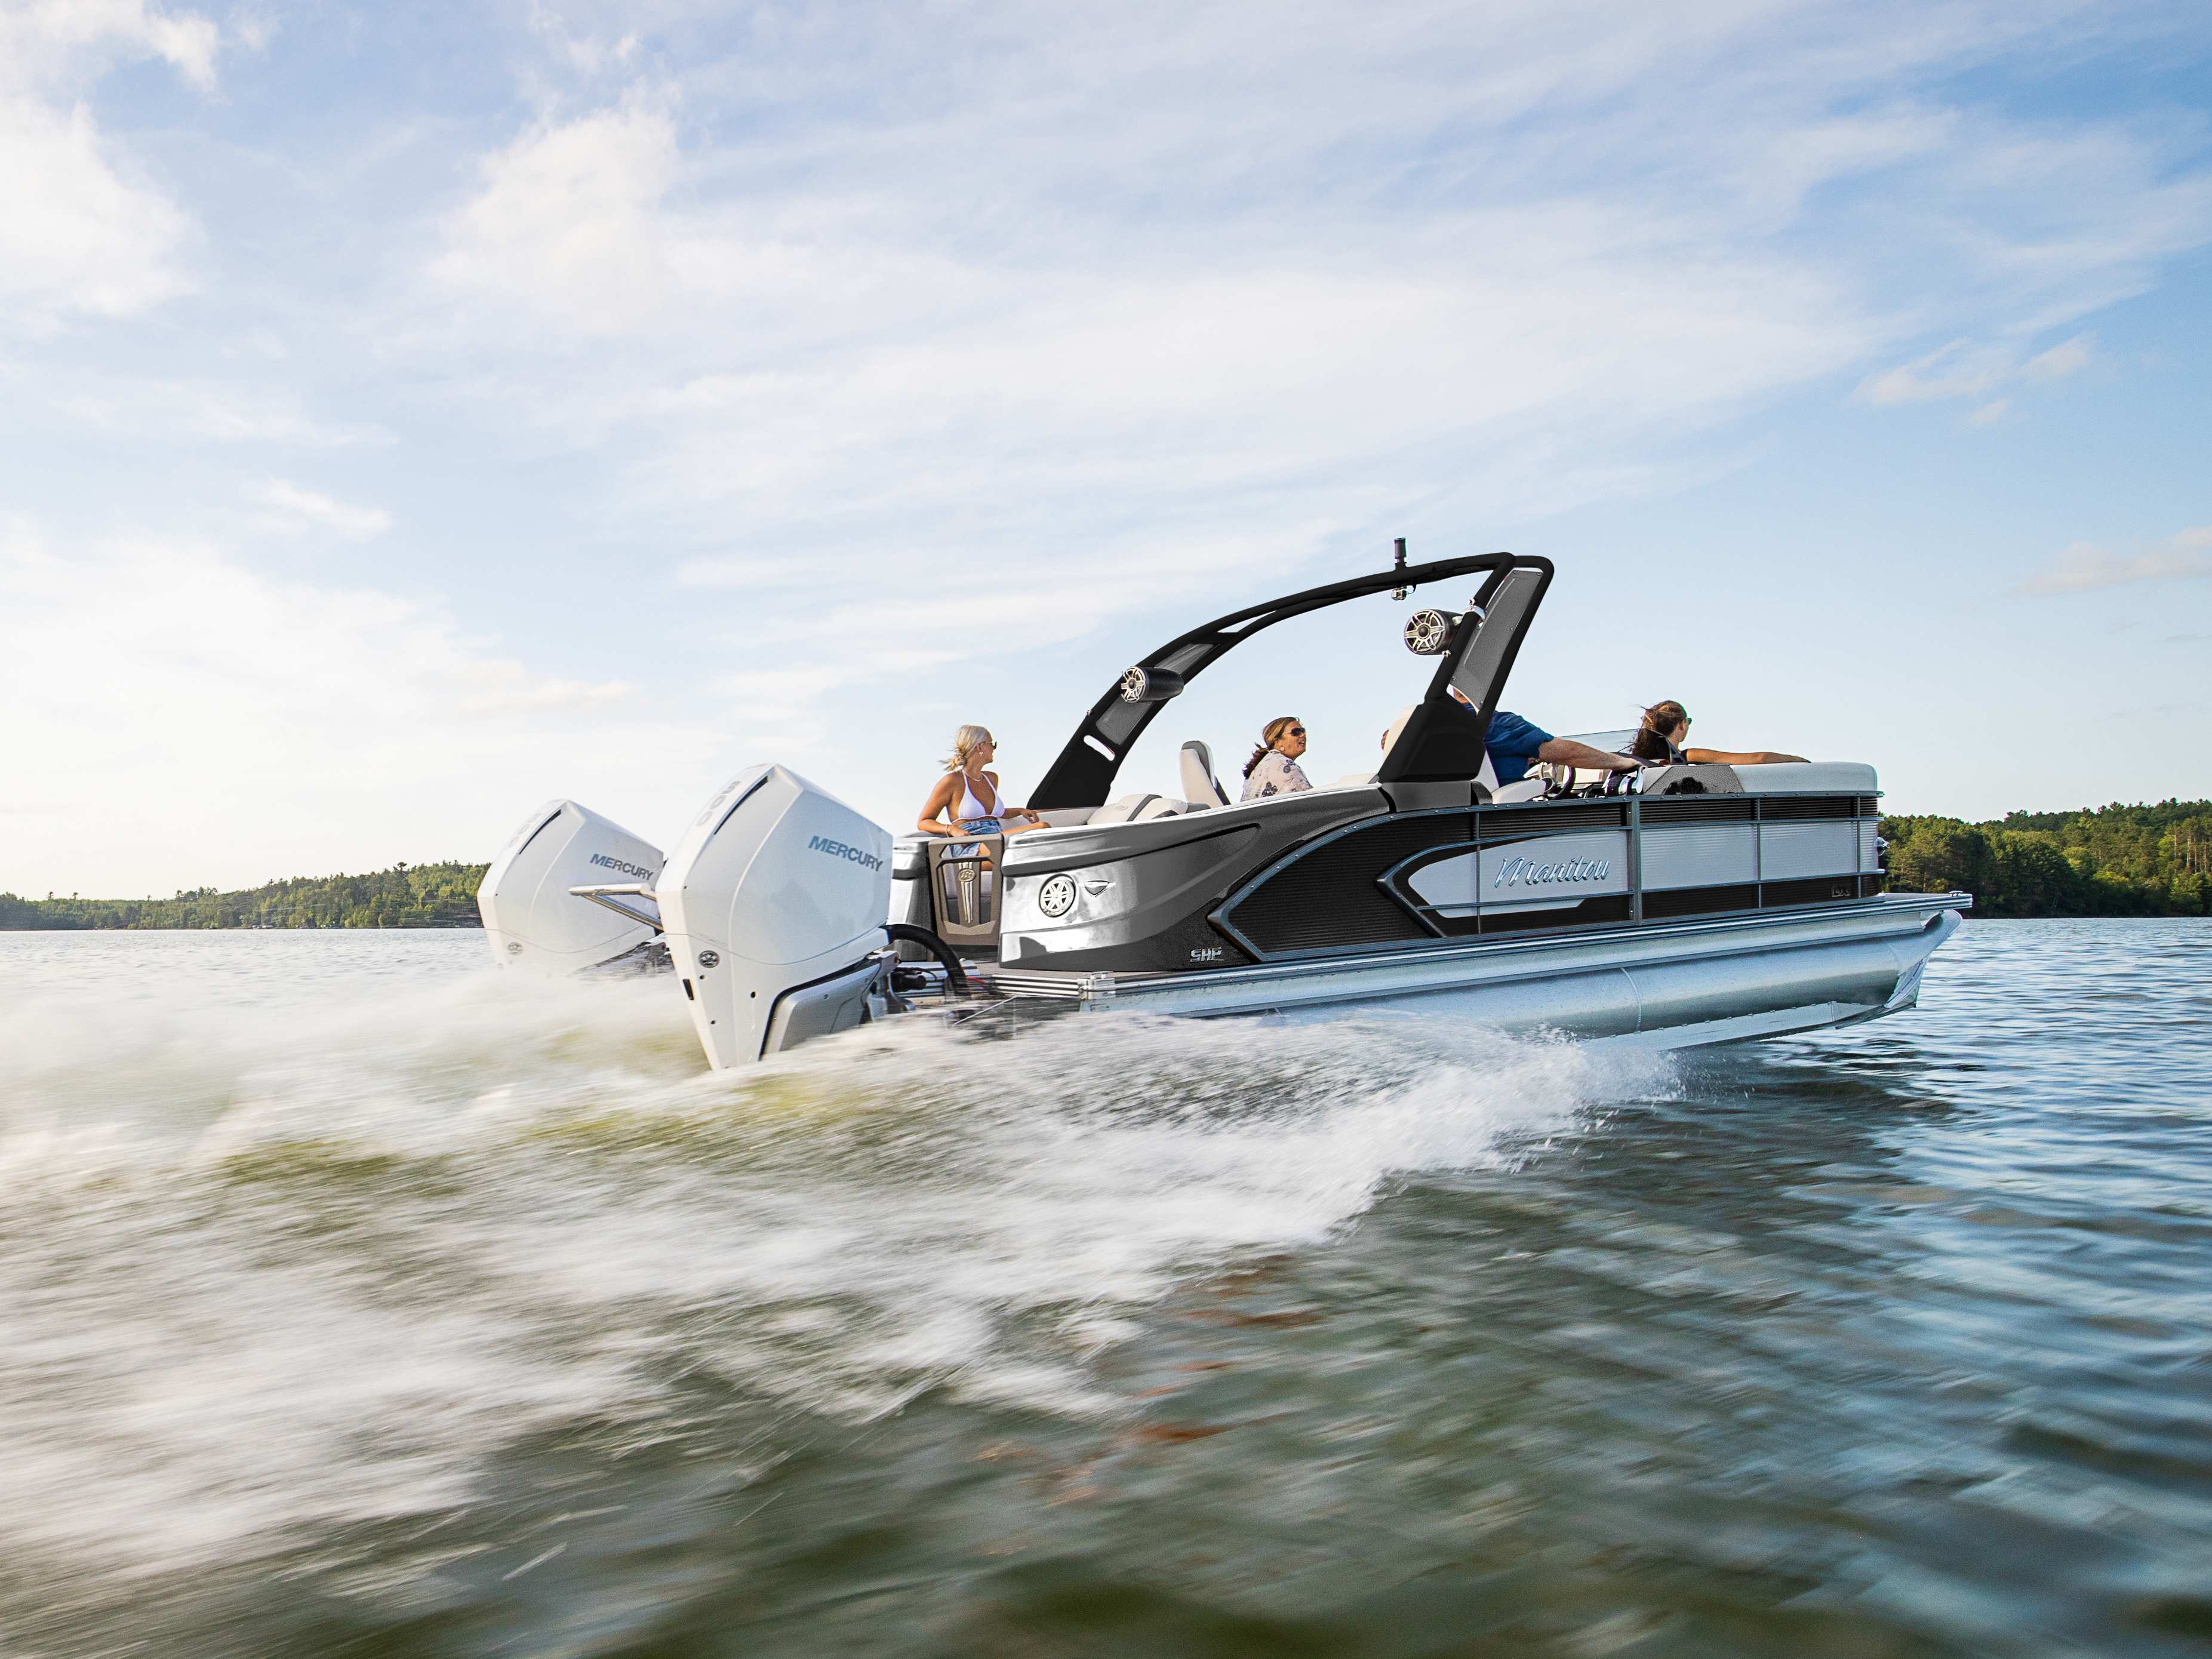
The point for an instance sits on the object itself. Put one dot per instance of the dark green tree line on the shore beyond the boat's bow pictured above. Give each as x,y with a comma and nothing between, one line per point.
2114,862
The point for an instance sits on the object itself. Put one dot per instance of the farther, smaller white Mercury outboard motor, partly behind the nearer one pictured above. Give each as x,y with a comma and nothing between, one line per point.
534,919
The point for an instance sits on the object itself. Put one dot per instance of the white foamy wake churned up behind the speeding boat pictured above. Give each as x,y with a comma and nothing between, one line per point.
309,1264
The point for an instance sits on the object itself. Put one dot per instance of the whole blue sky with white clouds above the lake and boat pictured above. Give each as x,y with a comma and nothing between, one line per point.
410,415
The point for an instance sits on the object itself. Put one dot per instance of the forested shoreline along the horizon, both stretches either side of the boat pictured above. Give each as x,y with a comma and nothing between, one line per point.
2107,862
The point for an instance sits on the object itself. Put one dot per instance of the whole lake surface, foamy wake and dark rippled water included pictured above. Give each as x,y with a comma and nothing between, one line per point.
362,1302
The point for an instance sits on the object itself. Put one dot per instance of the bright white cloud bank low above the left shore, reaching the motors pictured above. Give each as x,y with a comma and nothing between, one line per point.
225,727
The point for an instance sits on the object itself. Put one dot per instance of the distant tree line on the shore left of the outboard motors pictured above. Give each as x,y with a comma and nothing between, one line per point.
399,897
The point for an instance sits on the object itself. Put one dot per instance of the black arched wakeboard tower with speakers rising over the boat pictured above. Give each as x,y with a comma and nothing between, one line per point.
1441,742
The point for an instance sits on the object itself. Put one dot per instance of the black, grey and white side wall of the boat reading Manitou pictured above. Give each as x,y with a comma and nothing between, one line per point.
1339,873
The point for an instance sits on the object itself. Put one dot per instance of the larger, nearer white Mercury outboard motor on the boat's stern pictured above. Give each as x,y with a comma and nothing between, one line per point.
775,910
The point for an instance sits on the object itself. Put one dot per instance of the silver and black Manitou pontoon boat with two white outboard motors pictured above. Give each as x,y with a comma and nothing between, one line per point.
1669,908
